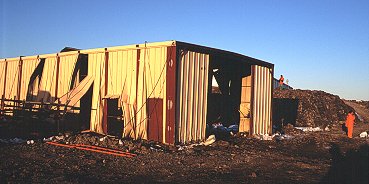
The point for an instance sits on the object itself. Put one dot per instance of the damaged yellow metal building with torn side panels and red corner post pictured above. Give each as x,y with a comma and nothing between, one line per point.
162,91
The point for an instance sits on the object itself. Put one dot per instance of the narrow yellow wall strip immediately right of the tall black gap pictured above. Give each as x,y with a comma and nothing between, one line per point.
96,69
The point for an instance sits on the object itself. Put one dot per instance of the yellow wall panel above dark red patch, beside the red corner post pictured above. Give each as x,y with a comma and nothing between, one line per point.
151,84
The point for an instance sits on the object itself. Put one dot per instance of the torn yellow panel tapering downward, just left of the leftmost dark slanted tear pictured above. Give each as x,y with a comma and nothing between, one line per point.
29,65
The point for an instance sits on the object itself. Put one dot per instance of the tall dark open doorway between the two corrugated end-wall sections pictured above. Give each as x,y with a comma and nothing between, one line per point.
229,95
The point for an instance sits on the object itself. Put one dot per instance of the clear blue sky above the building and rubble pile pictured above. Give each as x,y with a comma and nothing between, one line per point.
315,44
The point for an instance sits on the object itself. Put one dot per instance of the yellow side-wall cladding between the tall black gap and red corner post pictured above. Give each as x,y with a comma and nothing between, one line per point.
132,86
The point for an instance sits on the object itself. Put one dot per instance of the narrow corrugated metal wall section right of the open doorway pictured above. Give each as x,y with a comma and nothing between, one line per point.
261,99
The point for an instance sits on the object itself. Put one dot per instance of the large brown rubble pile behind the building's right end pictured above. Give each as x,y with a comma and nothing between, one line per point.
312,108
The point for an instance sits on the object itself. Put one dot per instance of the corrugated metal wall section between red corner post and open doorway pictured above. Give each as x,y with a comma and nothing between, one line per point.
192,96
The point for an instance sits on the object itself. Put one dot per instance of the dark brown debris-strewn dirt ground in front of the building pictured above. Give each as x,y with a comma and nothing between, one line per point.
299,157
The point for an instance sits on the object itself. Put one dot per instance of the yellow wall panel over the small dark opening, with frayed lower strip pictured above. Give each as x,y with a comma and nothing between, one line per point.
122,71
